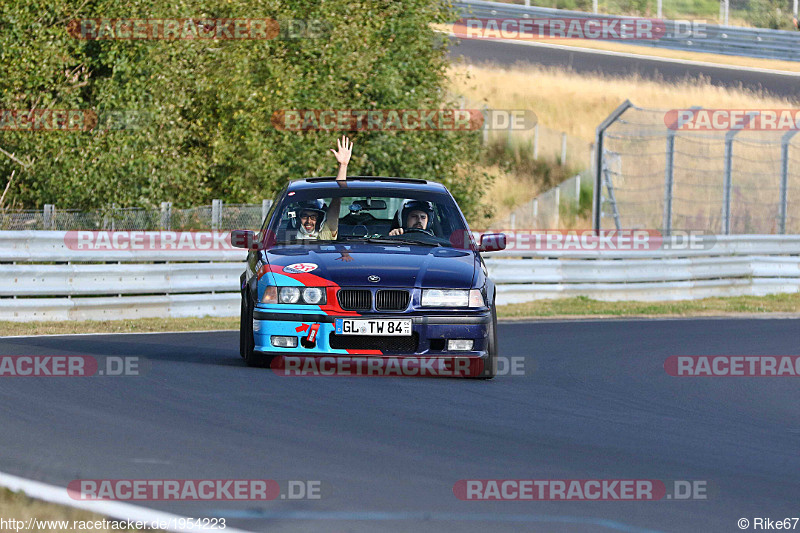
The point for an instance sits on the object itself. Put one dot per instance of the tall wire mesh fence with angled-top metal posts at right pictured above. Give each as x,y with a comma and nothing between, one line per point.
727,182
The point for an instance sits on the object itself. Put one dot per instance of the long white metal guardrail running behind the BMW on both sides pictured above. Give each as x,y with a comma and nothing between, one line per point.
41,278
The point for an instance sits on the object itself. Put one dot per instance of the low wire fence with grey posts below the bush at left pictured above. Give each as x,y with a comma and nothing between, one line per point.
218,216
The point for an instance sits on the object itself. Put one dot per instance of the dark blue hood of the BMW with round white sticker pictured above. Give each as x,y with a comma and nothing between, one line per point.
396,265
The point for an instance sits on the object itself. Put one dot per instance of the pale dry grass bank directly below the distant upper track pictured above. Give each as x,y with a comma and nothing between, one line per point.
577,103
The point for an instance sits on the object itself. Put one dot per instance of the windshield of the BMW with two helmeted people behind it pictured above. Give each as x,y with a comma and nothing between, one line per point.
314,216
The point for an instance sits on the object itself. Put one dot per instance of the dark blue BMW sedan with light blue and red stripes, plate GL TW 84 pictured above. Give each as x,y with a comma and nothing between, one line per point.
372,267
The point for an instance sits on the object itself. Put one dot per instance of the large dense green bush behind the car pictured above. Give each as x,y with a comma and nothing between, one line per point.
204,107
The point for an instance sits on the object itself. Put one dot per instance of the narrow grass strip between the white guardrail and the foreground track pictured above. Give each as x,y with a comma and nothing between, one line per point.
578,307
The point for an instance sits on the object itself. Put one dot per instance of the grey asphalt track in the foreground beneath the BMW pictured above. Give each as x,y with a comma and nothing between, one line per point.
597,405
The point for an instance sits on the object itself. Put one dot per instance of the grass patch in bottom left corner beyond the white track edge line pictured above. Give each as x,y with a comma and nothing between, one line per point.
18,506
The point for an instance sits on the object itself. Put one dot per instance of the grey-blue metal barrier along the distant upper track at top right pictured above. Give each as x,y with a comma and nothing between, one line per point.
727,40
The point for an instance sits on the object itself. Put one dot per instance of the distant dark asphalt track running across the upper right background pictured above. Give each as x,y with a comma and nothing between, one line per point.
590,61
